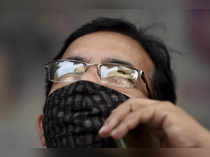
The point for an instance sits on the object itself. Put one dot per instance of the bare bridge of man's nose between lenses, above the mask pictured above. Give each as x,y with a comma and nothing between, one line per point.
91,75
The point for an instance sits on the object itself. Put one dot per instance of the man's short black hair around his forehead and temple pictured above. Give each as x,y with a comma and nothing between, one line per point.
163,81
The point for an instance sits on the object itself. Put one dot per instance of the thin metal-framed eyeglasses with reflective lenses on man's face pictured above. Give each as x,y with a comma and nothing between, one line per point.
113,74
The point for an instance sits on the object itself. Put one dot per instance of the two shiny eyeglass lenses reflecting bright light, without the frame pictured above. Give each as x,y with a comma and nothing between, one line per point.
70,71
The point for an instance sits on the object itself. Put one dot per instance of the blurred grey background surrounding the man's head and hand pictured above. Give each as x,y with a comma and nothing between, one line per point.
32,32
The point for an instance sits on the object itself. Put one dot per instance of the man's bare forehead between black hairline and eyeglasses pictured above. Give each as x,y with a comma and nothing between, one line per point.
97,47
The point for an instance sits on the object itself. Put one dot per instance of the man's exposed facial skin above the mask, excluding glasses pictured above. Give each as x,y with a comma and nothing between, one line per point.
108,47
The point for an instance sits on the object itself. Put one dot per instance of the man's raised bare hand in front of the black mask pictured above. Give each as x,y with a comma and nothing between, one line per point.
180,129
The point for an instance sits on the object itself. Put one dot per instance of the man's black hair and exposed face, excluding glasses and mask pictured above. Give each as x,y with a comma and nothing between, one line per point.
114,38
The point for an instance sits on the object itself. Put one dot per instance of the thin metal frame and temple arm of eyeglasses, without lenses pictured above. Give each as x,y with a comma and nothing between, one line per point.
87,65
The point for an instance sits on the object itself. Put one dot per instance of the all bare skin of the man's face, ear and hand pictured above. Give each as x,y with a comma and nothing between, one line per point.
176,128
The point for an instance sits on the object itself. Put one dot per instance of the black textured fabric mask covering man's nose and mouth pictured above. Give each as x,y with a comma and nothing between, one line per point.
74,114
